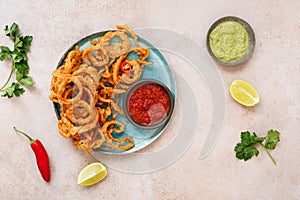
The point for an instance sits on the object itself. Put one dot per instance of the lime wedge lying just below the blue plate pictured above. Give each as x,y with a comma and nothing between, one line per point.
91,174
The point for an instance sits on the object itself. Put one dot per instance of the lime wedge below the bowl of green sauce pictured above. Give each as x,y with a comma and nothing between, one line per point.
244,93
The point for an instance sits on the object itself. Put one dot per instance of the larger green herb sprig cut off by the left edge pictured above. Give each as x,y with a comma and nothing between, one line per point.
18,56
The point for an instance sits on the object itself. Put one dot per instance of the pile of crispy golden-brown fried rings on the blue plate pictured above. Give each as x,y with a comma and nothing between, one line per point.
88,87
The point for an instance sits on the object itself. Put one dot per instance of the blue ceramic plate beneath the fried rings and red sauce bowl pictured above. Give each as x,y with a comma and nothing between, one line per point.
159,70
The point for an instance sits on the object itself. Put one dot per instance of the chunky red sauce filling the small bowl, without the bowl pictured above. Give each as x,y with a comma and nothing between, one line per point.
148,104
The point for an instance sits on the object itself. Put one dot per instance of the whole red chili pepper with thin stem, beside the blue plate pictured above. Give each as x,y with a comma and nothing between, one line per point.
40,154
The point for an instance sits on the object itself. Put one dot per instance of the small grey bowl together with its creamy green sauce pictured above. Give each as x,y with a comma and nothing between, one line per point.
230,41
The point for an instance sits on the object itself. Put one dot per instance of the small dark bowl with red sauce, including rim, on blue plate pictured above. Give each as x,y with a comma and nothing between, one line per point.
148,104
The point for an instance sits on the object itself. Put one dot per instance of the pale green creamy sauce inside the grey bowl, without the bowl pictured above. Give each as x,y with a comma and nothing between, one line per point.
229,41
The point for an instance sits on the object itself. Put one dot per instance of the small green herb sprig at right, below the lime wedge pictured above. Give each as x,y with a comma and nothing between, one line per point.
246,149
